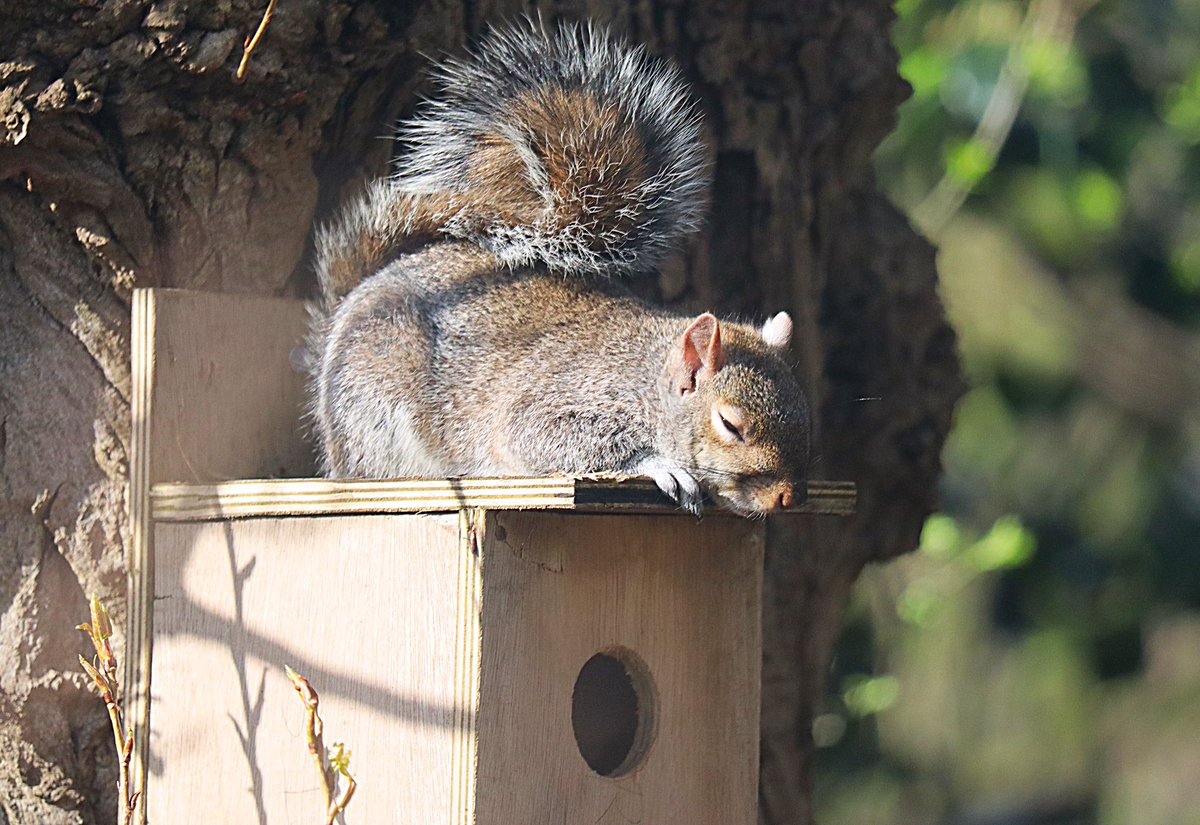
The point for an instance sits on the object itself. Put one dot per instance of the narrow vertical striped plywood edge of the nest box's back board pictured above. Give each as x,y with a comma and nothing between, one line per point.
140,569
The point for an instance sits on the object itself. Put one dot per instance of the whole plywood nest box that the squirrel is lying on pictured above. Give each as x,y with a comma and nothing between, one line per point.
493,652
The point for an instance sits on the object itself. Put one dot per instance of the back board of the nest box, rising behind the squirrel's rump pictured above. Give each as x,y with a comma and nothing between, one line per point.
214,399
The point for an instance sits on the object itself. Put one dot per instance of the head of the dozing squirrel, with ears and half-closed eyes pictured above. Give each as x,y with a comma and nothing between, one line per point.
743,412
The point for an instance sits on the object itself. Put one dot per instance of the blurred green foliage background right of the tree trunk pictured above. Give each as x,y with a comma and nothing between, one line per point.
1039,660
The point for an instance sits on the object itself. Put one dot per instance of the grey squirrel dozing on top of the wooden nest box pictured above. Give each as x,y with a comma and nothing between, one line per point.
471,323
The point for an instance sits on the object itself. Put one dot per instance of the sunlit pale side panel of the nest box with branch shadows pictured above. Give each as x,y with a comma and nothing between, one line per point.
379,612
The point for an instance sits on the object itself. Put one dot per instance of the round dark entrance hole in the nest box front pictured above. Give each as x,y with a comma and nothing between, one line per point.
613,712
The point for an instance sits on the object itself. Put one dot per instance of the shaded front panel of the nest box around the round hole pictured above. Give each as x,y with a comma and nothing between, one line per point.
686,598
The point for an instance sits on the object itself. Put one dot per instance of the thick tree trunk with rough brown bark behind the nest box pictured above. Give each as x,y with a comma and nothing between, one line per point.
130,156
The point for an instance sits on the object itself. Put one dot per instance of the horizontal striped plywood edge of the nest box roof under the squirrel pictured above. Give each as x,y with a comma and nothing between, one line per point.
321,497
